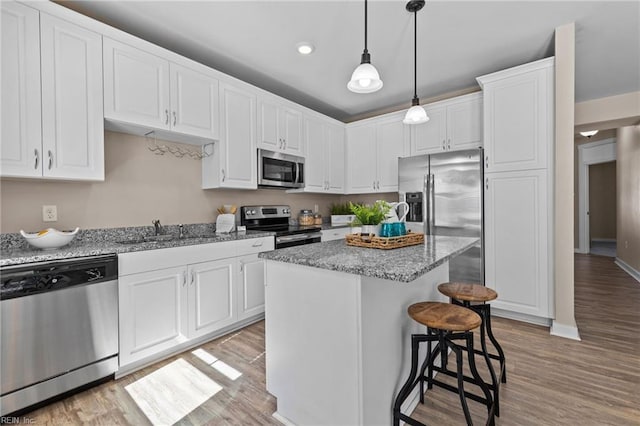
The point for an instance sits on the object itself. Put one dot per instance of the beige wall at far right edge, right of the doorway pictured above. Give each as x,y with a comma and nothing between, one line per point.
628,200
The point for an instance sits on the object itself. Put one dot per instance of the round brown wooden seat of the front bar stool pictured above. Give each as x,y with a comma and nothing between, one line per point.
444,316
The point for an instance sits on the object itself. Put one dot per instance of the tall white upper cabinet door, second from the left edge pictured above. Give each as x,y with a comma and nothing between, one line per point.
72,117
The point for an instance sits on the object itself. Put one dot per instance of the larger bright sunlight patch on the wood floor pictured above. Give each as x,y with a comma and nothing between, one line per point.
171,392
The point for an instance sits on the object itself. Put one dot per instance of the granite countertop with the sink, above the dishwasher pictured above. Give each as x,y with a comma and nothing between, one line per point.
16,251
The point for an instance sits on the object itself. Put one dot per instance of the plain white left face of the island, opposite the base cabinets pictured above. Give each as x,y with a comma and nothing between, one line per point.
313,344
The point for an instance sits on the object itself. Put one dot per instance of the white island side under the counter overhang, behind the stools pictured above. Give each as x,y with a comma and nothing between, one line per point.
386,339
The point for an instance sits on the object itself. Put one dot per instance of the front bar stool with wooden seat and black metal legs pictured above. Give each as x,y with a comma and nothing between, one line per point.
446,324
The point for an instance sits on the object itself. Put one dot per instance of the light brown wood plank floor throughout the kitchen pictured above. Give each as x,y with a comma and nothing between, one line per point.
551,380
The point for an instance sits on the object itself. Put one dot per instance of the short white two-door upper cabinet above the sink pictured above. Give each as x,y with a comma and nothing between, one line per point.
146,90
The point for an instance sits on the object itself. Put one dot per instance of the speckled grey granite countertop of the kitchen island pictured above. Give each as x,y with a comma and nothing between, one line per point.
402,264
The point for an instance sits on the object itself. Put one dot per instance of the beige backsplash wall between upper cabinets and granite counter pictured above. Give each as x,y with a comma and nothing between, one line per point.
139,187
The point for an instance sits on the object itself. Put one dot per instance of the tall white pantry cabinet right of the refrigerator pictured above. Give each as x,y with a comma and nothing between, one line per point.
518,189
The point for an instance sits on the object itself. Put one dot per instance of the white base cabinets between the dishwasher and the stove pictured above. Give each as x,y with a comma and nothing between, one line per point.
170,299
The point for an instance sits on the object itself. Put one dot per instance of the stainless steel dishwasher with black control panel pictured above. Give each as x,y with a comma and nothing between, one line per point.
59,328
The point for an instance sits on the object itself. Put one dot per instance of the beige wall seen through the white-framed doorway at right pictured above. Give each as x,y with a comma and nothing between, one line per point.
602,201
